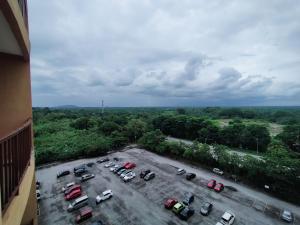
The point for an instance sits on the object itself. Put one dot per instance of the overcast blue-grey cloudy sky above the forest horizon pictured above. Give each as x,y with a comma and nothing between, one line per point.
165,53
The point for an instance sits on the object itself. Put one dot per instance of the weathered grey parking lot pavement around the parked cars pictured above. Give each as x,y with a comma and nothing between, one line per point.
139,202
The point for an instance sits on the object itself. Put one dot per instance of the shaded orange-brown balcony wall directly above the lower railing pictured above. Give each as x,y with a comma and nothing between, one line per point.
15,93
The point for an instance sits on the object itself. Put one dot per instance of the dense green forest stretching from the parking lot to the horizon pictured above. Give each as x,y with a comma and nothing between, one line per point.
269,136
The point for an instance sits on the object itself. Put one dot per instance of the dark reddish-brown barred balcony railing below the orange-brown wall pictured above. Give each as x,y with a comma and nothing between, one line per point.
15,153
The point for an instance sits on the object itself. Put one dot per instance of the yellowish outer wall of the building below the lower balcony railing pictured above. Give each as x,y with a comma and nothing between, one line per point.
23,207
